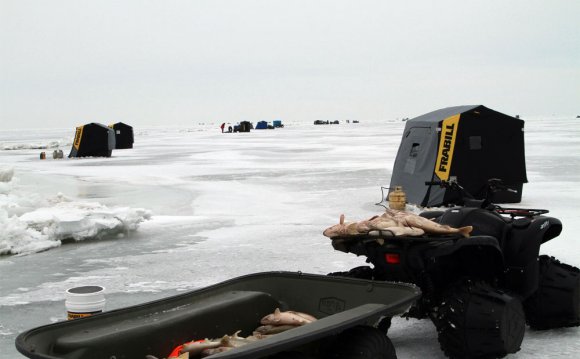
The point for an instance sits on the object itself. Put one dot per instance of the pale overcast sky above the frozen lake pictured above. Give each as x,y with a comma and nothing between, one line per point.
66,63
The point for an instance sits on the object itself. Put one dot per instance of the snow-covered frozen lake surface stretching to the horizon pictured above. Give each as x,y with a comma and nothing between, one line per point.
188,207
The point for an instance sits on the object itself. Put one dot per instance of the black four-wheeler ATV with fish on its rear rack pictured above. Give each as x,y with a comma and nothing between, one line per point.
479,291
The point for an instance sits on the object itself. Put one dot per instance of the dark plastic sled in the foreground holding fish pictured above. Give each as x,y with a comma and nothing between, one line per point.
344,307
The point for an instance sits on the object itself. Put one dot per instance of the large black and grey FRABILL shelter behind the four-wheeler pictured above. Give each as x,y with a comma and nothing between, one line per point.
471,143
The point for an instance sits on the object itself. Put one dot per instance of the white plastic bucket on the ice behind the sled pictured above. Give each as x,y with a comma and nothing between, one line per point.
84,301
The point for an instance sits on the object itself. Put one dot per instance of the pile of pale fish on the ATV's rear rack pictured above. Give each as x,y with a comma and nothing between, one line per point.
393,223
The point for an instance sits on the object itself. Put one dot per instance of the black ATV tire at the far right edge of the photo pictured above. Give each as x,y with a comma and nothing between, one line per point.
556,303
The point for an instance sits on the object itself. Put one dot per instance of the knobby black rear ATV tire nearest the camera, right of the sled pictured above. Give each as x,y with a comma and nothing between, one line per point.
476,320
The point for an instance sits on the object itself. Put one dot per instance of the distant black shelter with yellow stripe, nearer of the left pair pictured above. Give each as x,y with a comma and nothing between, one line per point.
93,140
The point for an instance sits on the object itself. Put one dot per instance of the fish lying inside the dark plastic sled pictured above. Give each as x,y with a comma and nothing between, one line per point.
271,324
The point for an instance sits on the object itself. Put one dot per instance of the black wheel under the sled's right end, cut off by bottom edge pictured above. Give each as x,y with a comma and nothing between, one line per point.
363,342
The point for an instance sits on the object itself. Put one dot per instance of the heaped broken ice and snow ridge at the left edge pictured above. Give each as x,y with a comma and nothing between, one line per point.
31,223
